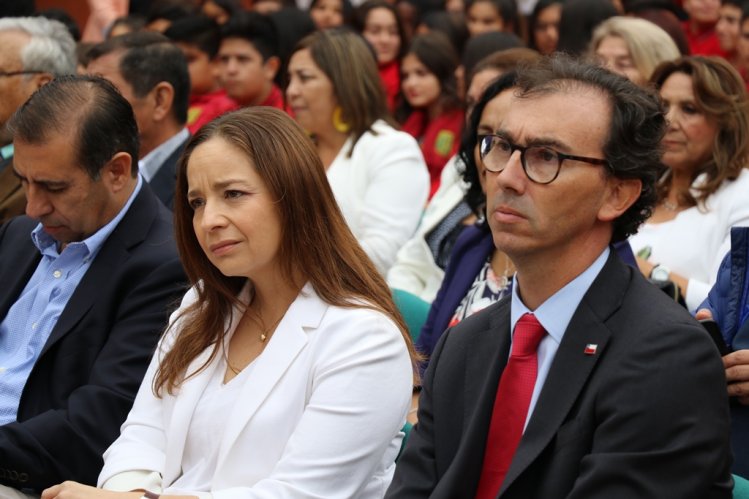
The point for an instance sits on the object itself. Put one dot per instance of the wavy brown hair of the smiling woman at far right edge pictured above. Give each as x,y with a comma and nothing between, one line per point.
720,93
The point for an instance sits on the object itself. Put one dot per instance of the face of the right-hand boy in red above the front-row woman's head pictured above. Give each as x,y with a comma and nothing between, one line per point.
243,72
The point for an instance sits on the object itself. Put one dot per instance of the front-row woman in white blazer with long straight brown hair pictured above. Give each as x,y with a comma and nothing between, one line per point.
287,371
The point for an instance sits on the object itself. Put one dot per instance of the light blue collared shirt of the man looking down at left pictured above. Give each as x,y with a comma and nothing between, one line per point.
30,320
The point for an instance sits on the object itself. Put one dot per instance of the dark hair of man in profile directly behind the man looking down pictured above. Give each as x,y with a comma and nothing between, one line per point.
149,58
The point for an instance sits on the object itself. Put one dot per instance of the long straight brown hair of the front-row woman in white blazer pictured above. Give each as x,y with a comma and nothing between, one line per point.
316,243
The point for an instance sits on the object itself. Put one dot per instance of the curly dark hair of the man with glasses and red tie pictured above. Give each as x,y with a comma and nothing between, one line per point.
632,147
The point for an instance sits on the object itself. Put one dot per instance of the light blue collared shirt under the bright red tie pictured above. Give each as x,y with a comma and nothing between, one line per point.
554,315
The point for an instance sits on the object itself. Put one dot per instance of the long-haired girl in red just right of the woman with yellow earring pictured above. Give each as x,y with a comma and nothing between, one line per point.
431,110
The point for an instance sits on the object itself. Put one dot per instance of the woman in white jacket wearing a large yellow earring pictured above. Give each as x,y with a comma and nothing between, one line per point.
377,173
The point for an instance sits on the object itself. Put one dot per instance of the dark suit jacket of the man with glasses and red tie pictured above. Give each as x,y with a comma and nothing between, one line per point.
645,417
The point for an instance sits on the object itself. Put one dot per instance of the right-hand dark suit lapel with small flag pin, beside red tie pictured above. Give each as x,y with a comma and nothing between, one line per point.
571,366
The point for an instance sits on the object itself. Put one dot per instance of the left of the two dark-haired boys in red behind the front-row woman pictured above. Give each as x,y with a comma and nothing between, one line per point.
199,39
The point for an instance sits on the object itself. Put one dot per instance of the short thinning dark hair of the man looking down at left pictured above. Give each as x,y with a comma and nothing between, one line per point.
104,119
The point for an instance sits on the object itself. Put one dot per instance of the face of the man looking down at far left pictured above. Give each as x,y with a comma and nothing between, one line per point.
59,193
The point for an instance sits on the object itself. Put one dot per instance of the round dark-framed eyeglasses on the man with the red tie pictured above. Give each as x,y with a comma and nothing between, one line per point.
541,164
